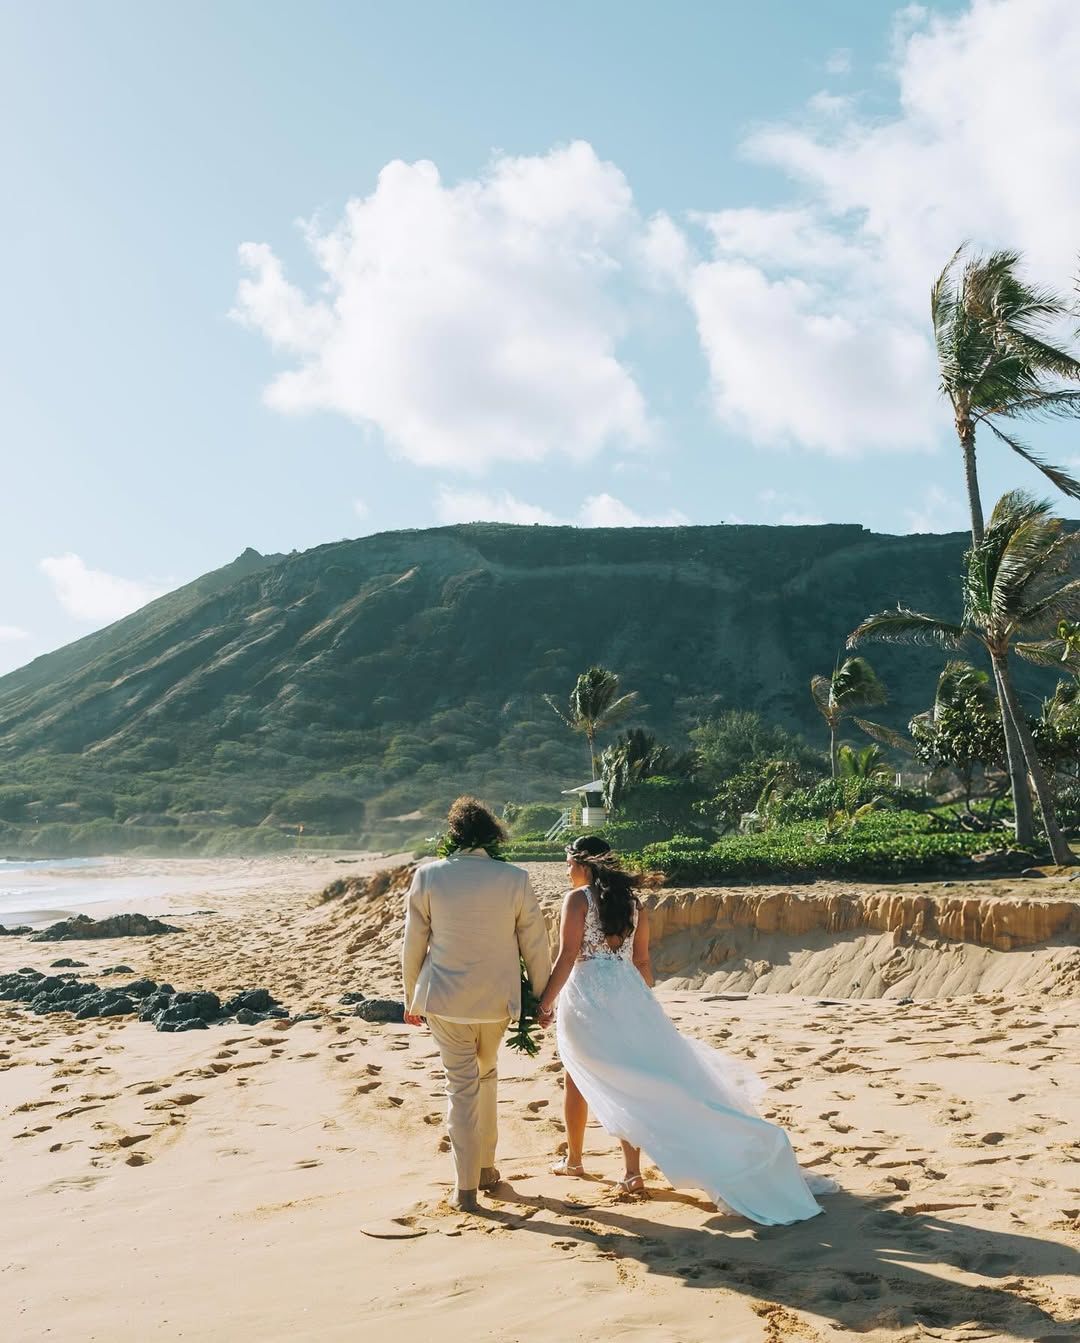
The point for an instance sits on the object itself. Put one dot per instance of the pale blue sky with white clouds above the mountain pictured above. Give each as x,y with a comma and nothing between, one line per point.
277,275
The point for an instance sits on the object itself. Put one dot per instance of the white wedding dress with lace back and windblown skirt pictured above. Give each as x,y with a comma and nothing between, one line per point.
688,1106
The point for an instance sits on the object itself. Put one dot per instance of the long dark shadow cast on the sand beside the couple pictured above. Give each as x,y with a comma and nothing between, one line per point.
863,1264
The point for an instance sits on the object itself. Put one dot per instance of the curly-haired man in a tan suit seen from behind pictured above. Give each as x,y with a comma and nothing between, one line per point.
468,918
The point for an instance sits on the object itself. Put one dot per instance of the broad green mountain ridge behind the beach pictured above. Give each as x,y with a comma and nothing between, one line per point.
374,679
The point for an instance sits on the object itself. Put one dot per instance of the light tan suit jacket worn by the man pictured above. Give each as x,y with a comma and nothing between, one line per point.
467,921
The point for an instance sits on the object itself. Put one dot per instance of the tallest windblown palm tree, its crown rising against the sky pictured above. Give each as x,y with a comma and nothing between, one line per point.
1000,362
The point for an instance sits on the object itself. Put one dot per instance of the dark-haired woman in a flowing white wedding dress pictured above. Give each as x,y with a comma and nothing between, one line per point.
687,1105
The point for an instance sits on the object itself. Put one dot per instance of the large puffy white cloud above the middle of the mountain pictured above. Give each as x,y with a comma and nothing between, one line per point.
472,324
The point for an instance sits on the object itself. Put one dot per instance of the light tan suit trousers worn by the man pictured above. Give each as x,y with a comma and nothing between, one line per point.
469,1052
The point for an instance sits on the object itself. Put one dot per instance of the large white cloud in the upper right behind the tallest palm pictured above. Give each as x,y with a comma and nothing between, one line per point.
815,315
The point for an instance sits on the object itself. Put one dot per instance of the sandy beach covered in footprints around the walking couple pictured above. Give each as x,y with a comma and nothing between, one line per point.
220,1184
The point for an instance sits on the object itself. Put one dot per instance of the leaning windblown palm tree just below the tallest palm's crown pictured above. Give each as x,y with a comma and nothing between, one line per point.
1018,589
